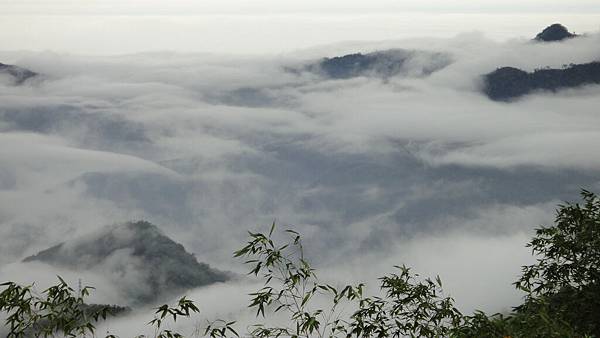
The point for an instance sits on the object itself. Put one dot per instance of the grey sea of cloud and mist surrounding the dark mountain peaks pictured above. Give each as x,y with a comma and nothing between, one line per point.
417,170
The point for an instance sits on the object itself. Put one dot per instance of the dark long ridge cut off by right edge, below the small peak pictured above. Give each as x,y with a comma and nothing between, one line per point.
507,83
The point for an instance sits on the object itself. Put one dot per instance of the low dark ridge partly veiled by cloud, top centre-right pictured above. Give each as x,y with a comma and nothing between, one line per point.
383,64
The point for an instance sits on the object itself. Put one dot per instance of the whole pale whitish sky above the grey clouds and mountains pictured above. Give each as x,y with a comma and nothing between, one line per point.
268,26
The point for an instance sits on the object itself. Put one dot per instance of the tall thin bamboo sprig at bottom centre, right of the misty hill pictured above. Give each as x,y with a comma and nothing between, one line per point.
290,286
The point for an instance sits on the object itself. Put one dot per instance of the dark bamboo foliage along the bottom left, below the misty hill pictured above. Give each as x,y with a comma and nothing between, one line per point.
60,311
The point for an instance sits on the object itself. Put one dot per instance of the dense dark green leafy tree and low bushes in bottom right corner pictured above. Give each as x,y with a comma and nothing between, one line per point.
562,287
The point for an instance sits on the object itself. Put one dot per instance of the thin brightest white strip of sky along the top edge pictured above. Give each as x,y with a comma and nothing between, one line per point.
185,7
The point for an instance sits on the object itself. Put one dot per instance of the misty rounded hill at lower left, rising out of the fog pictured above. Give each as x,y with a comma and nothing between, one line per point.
143,263
